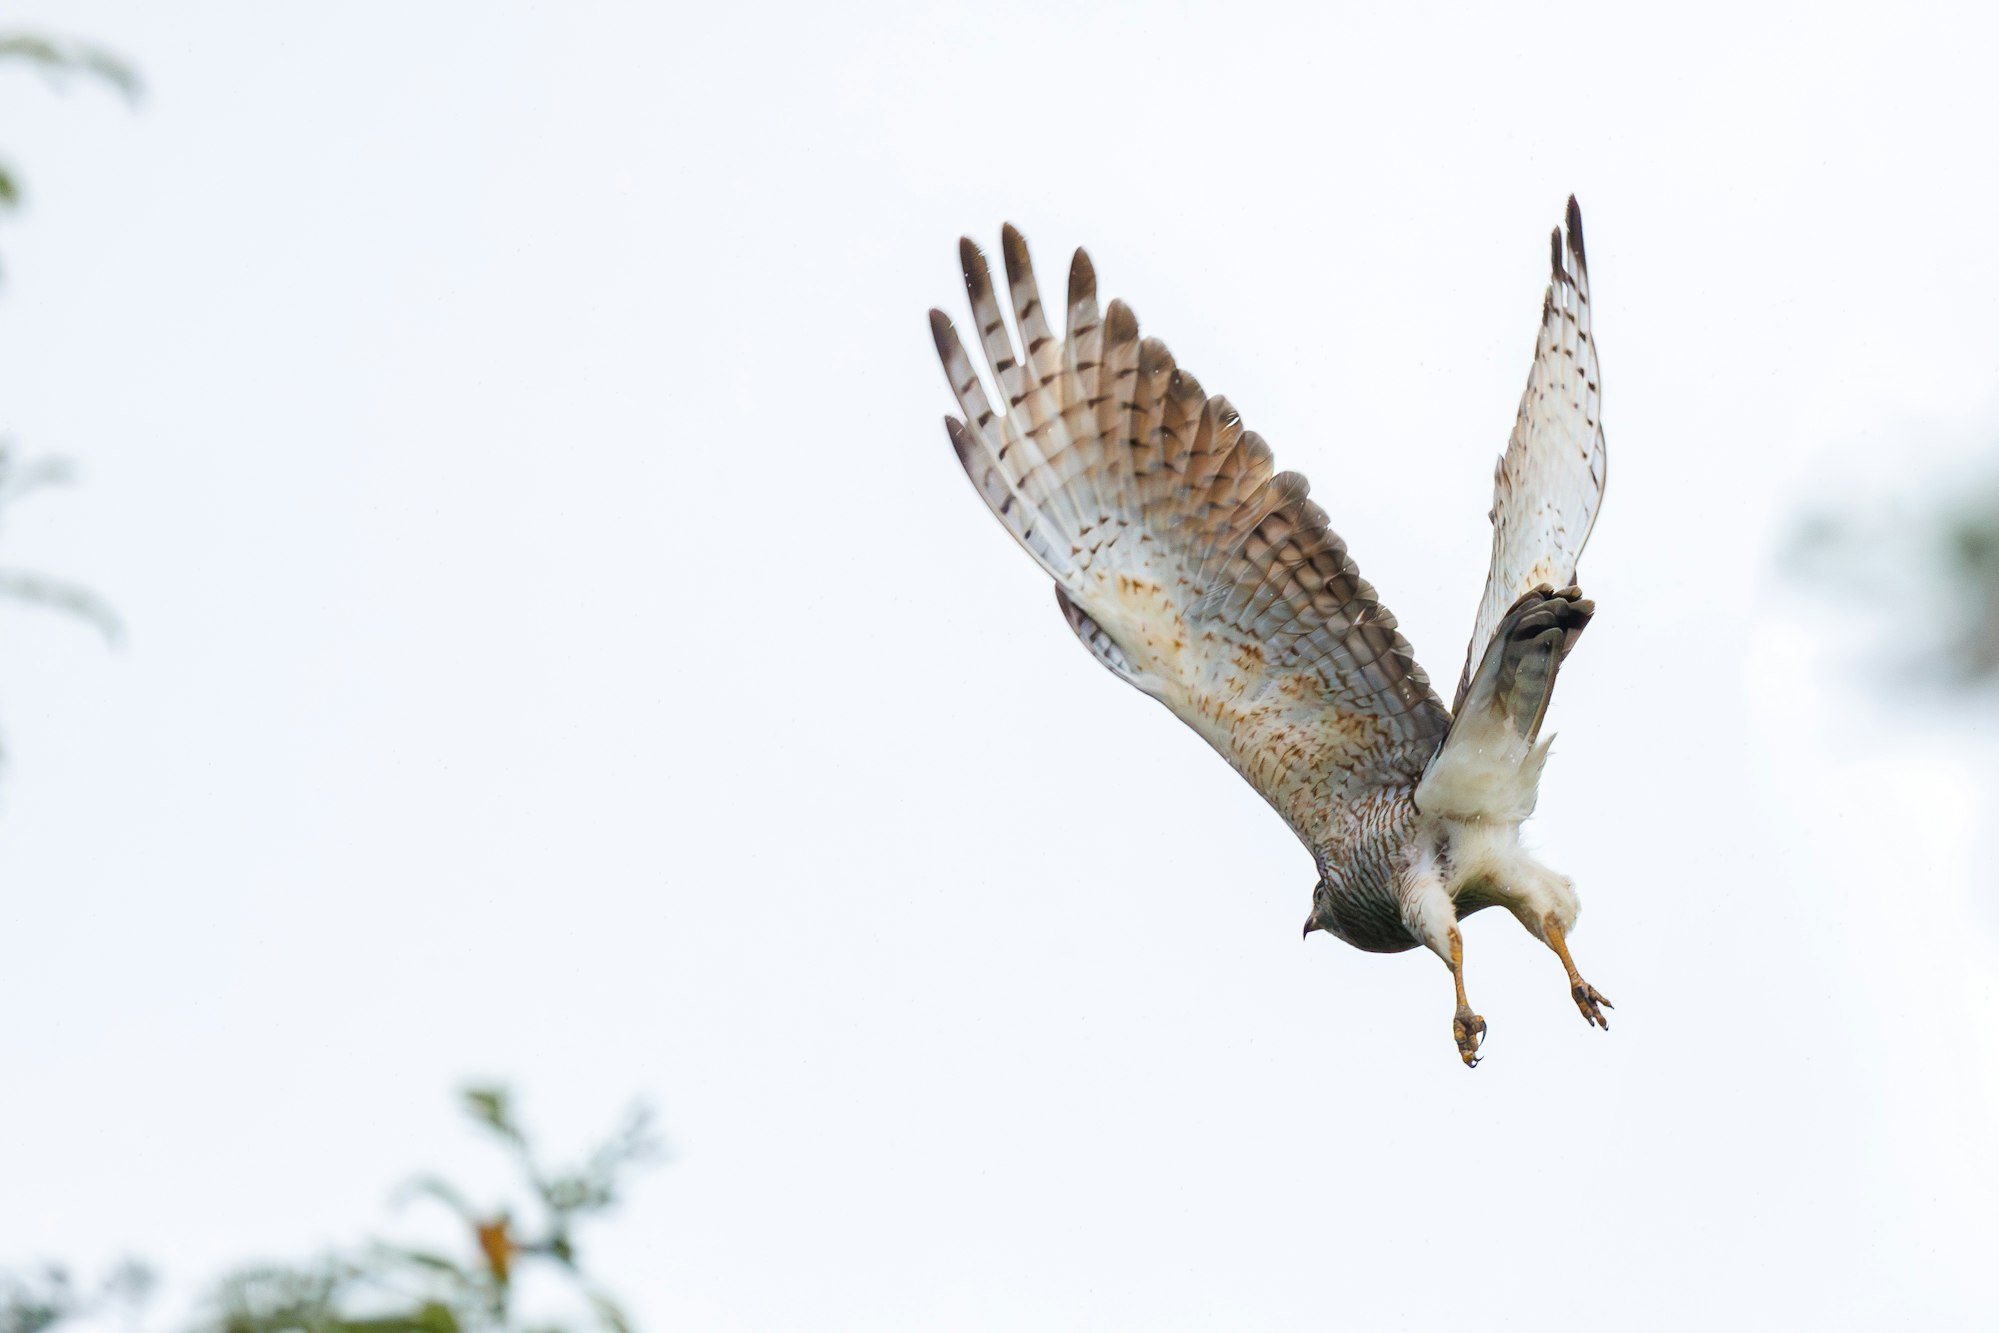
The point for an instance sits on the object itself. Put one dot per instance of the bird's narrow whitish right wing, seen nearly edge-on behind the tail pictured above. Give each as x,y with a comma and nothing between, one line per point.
1550,481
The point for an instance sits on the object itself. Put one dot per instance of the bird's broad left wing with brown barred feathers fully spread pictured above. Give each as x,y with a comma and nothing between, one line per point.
1182,561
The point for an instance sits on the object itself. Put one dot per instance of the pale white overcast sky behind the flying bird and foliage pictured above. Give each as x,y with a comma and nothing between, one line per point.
565,649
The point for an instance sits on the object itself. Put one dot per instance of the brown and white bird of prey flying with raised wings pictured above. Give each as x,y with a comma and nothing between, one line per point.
1202,577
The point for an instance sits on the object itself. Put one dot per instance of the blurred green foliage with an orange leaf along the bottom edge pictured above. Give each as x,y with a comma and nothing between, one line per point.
393,1288
